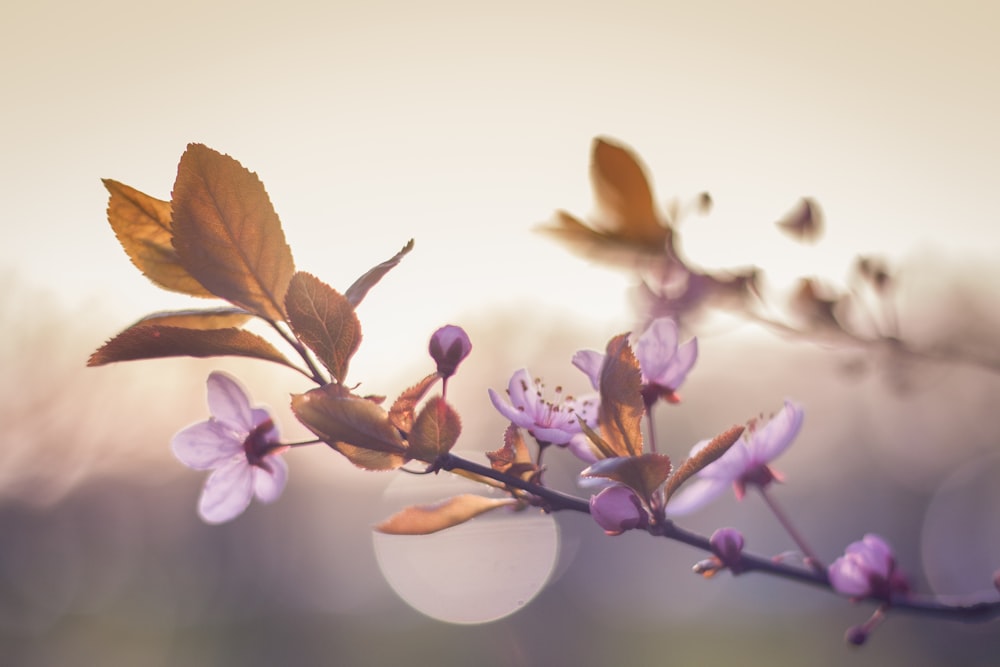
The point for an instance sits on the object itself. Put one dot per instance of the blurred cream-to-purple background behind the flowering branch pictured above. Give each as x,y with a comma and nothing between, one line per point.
464,126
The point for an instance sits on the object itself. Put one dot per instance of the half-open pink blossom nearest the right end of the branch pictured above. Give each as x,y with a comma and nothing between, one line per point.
867,568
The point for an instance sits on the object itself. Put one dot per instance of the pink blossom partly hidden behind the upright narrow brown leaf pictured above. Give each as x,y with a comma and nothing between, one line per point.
664,364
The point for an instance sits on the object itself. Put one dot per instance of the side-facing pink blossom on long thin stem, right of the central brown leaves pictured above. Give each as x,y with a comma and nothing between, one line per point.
745,463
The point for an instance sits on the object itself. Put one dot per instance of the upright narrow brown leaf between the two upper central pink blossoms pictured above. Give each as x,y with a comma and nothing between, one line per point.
620,413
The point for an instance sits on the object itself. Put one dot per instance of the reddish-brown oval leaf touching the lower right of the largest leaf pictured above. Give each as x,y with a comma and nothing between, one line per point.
323,319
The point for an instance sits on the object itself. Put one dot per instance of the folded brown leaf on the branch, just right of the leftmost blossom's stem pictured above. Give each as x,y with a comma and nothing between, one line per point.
337,416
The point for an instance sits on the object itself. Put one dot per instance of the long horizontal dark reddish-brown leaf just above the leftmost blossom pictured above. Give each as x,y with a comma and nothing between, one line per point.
152,341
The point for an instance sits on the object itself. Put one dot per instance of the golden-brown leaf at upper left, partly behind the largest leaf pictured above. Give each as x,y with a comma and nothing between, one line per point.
143,226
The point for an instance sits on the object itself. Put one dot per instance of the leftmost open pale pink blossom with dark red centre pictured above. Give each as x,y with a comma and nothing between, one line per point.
240,444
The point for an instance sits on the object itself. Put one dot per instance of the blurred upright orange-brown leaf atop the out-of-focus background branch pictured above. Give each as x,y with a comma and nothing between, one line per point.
622,190
